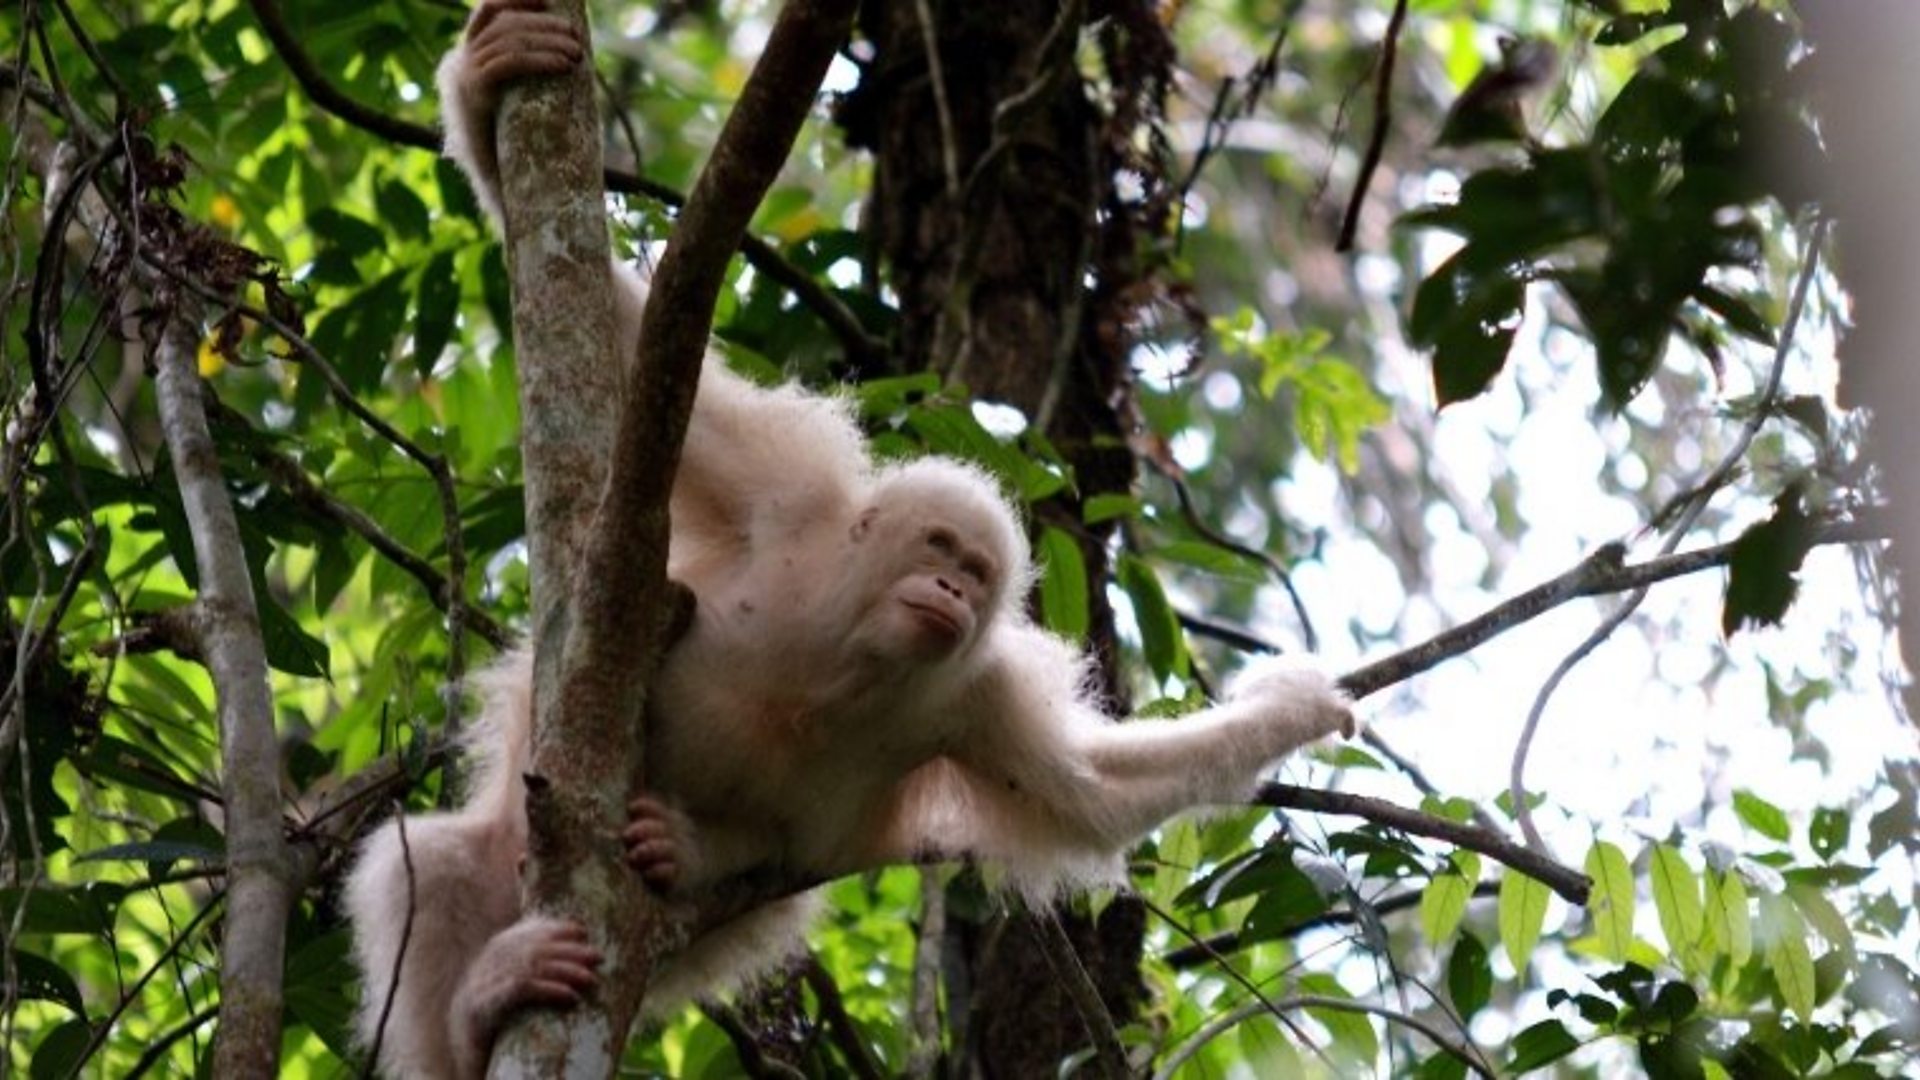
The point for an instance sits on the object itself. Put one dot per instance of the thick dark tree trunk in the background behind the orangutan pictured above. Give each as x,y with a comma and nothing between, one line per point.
992,172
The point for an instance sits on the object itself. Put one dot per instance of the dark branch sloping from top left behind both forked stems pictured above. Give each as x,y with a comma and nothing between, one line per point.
763,257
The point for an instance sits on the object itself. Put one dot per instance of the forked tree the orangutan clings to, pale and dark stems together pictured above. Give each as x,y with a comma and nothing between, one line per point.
596,650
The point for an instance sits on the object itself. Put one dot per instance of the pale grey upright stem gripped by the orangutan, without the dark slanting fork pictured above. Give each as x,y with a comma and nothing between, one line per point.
556,237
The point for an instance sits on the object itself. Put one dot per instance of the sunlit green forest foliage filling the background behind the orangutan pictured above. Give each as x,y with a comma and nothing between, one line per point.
1610,203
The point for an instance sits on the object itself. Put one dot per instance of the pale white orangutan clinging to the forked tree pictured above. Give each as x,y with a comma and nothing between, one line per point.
859,687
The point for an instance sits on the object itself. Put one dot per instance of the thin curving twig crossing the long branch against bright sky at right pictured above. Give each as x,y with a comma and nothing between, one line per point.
1694,503
